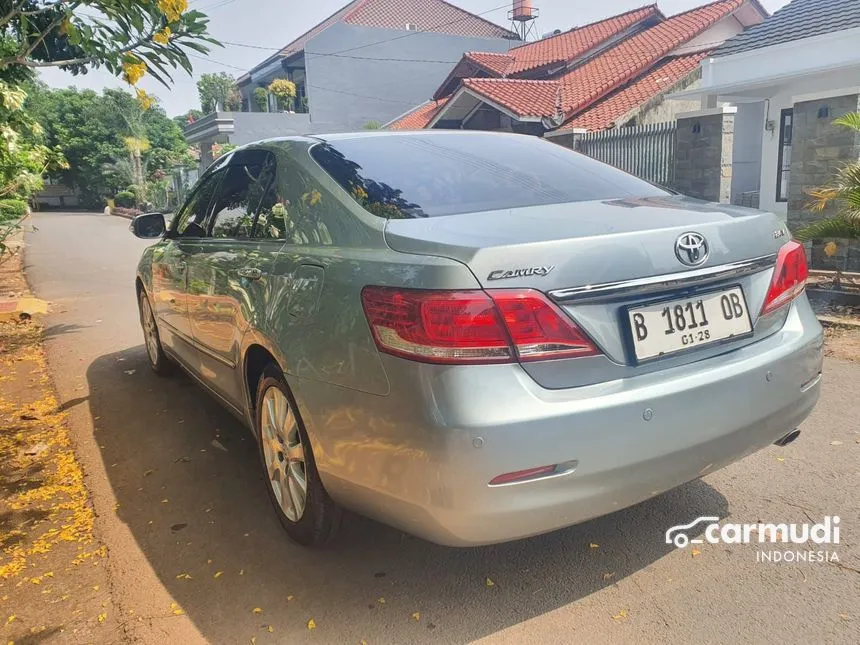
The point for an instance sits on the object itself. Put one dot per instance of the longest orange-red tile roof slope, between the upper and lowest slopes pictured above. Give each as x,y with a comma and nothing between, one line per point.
586,84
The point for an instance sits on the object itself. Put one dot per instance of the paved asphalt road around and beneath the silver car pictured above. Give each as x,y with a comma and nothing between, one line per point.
186,506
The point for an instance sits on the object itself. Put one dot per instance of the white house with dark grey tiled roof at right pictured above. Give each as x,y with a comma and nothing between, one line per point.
789,77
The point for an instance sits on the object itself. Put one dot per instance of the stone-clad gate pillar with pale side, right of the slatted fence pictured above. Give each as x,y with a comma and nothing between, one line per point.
703,154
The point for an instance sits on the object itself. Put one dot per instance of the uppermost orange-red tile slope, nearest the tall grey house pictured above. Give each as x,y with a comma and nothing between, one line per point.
576,42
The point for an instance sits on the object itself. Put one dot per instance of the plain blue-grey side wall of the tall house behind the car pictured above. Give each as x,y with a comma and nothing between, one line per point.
348,90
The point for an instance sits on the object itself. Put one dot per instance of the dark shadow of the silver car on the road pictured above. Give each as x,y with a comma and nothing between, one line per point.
189,487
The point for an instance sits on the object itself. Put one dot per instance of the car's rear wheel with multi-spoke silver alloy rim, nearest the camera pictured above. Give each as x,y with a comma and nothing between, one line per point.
286,456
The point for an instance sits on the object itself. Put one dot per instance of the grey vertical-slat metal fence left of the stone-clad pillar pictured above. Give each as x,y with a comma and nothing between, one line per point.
647,151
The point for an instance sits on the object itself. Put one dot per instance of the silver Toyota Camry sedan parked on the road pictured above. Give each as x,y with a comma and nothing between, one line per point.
475,337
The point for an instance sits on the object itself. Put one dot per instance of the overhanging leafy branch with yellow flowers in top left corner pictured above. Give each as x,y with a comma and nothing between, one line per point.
114,34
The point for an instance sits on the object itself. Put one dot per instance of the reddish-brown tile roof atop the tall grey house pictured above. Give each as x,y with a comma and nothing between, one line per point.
428,15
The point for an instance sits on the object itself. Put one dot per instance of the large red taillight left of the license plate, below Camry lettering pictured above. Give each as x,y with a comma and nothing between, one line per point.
499,326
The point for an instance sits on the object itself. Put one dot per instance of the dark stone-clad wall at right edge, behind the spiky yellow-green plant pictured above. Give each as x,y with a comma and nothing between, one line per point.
818,148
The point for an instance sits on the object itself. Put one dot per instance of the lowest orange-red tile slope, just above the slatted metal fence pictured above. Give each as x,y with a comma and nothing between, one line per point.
606,112
